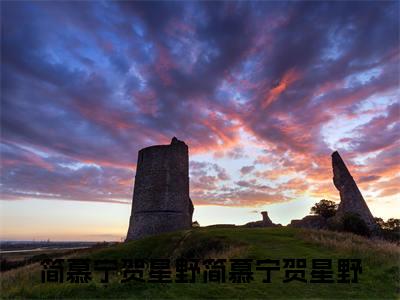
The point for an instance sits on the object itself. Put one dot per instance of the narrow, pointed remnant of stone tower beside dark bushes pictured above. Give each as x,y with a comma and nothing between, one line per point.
351,199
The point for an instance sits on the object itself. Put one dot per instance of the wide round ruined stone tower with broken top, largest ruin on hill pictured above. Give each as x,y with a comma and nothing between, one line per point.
161,200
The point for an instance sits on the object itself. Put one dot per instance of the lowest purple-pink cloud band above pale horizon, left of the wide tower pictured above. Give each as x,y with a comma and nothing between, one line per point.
60,178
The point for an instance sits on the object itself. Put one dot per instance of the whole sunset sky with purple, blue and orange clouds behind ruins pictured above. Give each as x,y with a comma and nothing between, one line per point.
261,92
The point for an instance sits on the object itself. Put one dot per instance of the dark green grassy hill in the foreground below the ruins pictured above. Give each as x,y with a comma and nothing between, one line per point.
379,278
